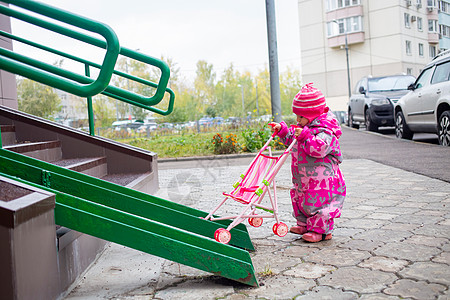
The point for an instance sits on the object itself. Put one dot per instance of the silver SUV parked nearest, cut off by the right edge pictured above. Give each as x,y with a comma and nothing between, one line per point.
426,108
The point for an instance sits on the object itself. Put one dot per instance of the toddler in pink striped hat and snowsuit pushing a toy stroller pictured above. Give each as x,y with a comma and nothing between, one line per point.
319,188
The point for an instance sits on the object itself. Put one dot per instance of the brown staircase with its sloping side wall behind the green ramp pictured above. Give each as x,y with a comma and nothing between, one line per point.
76,150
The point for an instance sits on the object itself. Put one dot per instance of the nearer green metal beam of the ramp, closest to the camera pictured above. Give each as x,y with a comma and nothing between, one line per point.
151,237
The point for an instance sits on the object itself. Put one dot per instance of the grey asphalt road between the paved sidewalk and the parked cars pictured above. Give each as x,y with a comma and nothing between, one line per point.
418,156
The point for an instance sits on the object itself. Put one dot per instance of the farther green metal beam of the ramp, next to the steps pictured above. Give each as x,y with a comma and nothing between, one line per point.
124,199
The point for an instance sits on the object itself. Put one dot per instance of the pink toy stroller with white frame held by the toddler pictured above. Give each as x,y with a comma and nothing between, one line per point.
250,189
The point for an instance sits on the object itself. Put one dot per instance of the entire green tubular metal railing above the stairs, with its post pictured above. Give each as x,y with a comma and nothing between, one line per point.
81,85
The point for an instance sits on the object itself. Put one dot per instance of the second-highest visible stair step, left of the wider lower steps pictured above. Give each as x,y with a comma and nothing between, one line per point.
48,151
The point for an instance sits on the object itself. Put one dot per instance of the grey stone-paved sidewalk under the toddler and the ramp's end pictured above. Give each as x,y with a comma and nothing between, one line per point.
392,242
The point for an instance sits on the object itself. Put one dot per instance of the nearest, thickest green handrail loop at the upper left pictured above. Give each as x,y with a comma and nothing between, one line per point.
83,90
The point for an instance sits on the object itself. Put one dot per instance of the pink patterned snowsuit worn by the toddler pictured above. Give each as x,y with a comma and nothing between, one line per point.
319,187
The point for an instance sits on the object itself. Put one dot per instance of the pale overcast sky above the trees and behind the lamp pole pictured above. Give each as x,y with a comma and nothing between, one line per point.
219,32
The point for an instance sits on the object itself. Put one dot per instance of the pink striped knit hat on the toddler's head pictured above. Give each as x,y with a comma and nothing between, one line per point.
309,102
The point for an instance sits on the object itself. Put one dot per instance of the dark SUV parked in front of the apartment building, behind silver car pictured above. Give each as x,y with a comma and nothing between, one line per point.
372,101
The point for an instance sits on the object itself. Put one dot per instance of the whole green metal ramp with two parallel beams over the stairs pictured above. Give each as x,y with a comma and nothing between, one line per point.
134,219
